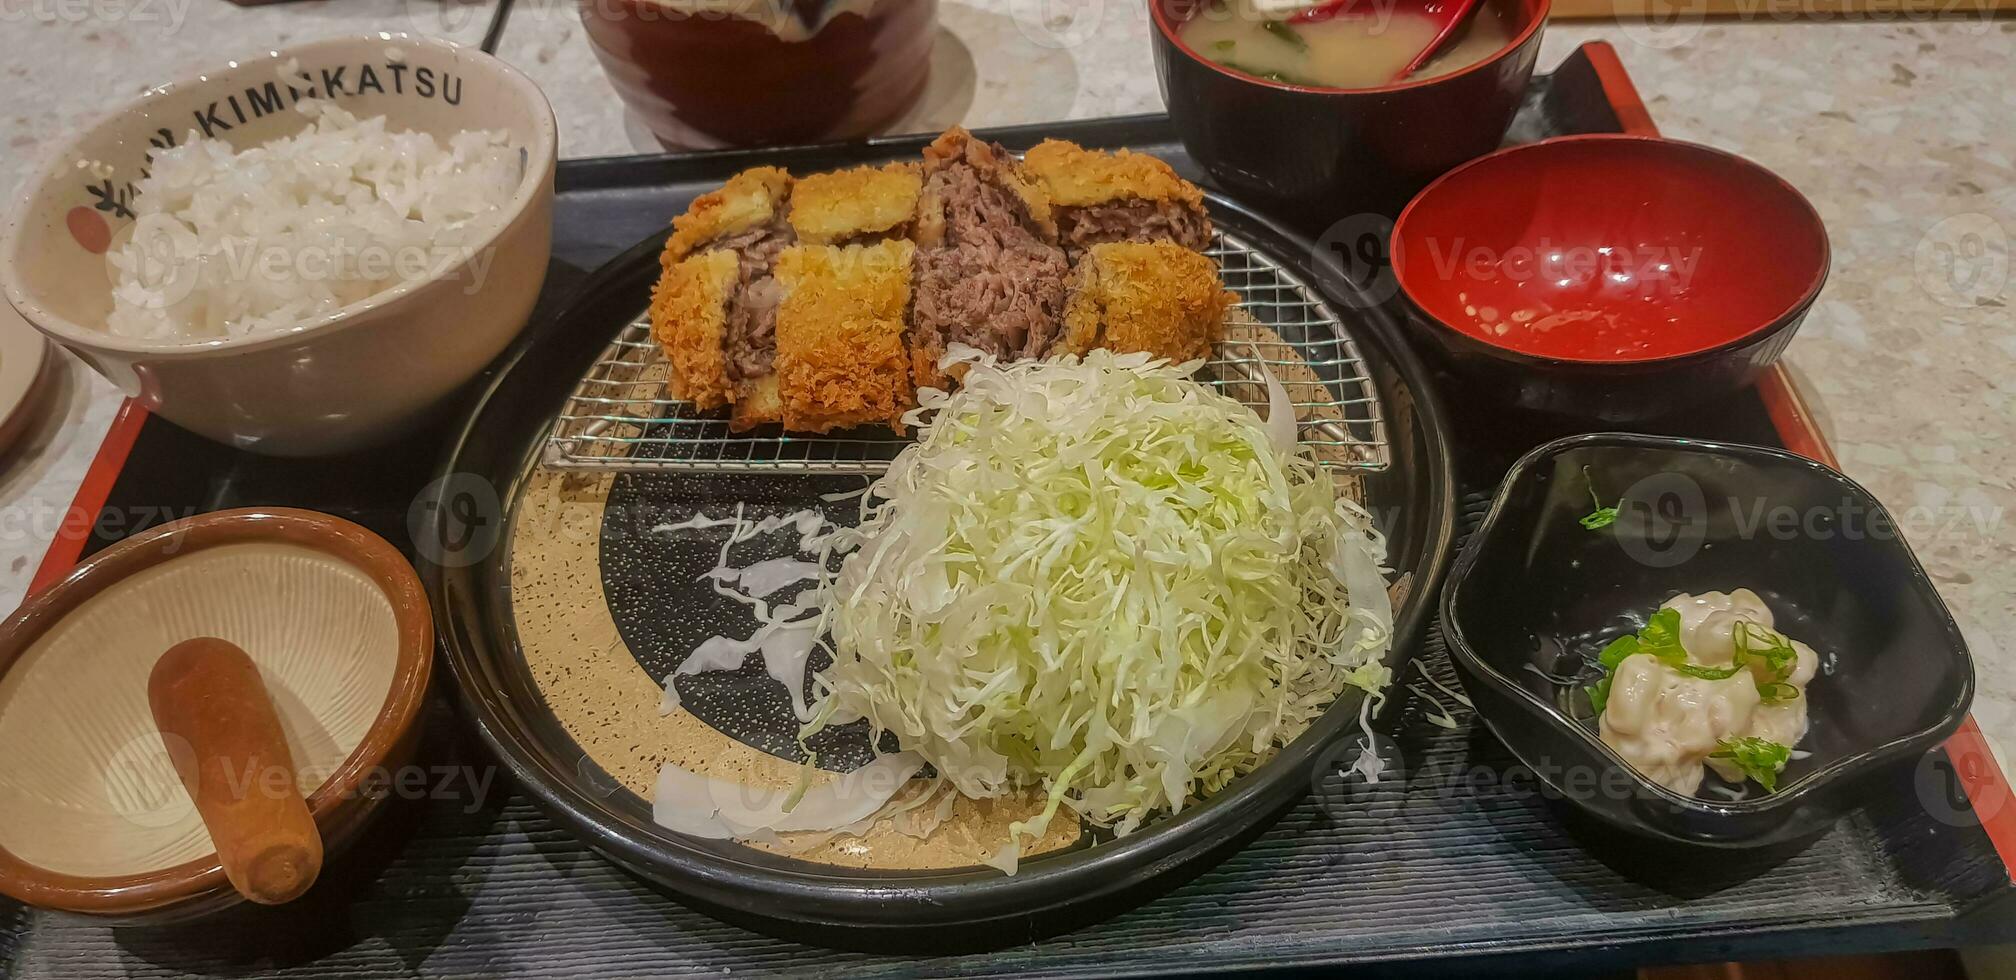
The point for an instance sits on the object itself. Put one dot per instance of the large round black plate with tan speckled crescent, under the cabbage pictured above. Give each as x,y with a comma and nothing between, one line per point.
563,632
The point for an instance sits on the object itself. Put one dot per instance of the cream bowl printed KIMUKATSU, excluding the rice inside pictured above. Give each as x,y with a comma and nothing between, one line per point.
336,382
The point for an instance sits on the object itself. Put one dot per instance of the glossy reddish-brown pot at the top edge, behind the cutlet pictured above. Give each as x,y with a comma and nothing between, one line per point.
707,82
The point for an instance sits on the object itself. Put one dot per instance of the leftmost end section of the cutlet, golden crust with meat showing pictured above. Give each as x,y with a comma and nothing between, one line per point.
737,318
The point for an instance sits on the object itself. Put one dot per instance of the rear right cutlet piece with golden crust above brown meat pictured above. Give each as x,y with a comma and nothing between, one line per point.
1120,197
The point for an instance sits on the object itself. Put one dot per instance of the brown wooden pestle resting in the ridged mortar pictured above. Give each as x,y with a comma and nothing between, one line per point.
231,753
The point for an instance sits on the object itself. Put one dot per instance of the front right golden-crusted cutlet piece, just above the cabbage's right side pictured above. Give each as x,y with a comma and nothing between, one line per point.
1154,297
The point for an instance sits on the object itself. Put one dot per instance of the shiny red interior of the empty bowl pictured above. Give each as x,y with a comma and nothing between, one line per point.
1610,249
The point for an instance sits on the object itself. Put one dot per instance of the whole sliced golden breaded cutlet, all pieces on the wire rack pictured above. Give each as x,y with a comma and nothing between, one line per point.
826,301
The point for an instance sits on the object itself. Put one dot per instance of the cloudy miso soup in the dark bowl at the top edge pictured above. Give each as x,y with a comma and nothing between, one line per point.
1360,47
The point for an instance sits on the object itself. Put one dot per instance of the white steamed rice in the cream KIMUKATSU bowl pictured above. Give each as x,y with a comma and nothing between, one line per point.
237,243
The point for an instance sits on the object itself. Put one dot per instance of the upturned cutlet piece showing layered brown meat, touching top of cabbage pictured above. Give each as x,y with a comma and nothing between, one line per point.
991,275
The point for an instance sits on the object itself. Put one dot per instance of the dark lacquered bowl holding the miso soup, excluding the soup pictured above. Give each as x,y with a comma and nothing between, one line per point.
1330,154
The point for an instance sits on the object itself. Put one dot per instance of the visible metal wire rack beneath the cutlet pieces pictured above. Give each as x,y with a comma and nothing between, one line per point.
624,416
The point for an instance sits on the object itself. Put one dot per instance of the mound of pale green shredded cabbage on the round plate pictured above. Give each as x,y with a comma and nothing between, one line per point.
1104,580
